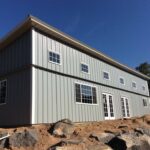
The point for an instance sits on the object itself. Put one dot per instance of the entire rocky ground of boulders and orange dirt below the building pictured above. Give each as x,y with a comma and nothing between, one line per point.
121,134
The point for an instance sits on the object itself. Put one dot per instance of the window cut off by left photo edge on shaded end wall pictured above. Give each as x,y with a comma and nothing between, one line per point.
3,91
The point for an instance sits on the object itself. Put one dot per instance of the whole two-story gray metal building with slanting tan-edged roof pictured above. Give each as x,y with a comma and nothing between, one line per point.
46,75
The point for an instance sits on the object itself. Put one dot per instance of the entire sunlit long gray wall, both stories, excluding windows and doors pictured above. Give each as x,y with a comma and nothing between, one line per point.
54,84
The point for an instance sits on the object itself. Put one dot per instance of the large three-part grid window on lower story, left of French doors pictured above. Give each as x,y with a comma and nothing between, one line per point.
85,94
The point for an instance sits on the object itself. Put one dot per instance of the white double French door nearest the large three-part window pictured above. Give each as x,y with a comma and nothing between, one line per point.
108,106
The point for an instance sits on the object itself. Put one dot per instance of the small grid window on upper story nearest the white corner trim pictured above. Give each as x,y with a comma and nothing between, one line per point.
54,57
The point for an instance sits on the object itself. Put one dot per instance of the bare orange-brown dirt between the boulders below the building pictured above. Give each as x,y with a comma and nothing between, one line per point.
82,131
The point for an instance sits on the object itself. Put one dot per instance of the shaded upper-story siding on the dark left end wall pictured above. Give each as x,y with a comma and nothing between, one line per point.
16,55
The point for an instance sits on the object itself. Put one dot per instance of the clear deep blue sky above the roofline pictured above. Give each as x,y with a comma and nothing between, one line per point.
118,28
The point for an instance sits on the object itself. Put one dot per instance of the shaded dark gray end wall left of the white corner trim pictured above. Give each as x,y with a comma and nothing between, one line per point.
14,67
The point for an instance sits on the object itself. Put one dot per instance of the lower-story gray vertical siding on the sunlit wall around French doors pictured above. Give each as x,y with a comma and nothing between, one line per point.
55,99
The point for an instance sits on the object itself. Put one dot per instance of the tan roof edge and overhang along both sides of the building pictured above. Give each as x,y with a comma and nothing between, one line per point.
32,21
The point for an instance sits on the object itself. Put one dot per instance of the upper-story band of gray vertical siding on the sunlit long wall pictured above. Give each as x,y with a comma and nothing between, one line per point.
70,64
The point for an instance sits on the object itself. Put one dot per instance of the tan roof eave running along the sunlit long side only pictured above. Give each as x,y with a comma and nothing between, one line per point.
62,36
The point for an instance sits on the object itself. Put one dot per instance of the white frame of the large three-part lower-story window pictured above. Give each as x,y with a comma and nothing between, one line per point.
81,103
